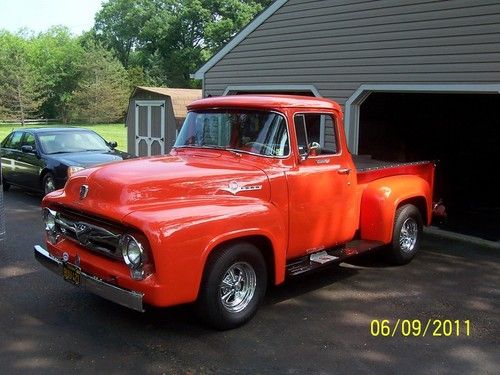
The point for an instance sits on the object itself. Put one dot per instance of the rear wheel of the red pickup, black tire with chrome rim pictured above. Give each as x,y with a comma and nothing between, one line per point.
407,234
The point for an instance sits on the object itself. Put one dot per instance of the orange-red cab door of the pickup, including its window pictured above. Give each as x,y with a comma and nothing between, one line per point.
321,187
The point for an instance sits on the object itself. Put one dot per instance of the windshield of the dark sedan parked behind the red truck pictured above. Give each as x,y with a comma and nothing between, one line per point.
71,141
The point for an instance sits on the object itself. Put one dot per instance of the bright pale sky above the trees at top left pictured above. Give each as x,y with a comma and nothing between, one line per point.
39,15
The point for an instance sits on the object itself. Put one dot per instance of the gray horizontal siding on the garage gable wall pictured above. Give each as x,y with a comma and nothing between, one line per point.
337,45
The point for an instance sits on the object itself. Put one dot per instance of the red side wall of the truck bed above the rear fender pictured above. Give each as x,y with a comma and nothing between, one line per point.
369,169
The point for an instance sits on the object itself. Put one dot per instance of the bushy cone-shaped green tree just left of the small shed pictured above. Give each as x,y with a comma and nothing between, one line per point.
102,92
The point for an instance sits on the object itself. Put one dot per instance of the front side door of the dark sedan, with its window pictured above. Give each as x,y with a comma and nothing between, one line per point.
29,164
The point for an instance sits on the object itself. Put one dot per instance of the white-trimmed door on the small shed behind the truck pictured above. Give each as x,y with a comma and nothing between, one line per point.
150,127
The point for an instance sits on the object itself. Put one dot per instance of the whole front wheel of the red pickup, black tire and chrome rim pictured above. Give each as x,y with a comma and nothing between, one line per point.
248,265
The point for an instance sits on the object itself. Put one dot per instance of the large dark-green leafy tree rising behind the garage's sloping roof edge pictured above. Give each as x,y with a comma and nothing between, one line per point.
171,38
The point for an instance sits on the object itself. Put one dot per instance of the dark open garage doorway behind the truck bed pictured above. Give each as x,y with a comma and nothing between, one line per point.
462,131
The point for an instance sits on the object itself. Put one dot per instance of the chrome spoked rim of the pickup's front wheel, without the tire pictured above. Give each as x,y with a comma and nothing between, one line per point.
238,287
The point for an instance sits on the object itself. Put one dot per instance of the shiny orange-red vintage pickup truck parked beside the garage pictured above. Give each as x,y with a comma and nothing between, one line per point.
257,189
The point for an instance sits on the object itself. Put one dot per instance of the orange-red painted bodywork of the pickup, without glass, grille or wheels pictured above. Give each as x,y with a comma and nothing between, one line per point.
189,203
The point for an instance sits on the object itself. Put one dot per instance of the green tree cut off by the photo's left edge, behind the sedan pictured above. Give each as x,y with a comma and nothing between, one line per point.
21,89
